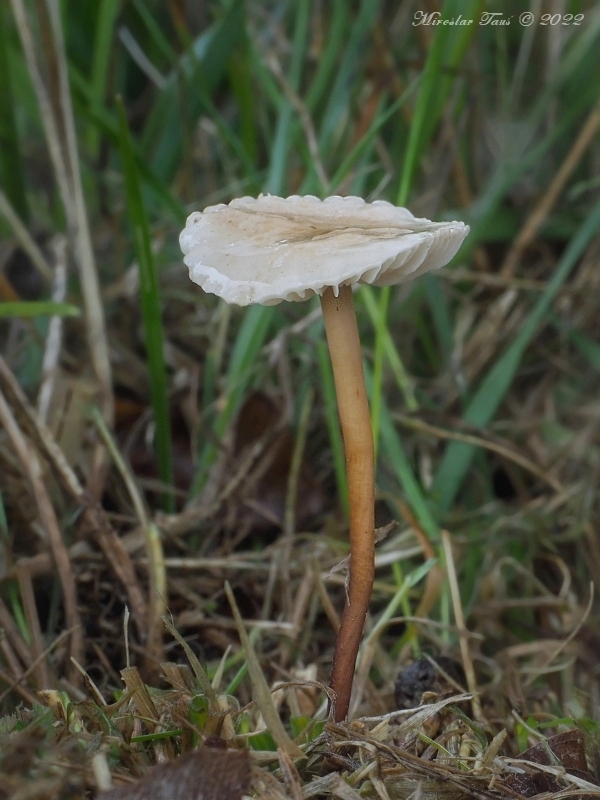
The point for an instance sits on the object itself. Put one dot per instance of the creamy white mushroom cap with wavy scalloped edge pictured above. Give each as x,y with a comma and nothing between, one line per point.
270,249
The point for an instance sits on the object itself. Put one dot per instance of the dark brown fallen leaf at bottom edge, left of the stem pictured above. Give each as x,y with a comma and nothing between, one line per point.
210,773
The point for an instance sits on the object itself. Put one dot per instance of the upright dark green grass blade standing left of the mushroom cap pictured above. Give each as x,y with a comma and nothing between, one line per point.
151,309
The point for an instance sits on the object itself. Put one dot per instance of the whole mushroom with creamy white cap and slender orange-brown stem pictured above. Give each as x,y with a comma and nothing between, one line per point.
270,249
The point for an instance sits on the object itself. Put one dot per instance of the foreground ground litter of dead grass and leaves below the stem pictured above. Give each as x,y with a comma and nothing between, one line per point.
435,750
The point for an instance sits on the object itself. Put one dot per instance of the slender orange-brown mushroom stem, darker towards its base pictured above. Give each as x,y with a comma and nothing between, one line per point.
353,407
